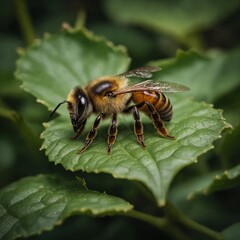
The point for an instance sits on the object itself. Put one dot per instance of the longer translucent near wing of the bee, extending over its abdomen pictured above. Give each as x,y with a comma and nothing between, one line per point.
150,85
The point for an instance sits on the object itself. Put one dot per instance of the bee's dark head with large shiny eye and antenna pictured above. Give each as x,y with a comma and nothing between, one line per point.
77,105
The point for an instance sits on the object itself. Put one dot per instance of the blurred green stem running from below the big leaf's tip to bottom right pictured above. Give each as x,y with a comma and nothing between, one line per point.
177,216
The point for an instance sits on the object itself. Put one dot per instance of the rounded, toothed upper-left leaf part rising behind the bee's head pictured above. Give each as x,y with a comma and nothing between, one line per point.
53,66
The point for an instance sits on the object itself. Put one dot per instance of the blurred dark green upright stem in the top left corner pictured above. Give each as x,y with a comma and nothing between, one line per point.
24,21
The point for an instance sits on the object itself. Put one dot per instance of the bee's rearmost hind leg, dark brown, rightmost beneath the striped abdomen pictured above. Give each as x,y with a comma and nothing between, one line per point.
157,121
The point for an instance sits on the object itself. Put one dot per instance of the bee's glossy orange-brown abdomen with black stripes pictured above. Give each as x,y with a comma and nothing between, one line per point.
161,103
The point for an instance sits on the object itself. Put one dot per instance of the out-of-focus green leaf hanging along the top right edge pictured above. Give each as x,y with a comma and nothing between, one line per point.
177,18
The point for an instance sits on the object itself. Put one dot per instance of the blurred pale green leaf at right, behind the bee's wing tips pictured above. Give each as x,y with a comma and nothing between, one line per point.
209,77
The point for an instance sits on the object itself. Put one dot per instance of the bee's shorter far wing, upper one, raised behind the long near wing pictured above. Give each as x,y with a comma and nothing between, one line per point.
142,72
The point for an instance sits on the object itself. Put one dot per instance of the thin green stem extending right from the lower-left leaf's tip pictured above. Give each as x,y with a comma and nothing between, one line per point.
160,223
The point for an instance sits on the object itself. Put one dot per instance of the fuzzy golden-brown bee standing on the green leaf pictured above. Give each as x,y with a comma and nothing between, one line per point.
110,95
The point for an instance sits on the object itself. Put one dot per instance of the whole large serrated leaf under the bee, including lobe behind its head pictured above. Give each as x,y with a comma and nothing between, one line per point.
52,68
